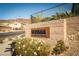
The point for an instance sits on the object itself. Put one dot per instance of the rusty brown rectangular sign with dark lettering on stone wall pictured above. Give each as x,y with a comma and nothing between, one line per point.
40,32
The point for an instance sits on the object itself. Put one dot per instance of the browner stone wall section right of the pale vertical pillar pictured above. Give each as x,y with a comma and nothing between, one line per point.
72,25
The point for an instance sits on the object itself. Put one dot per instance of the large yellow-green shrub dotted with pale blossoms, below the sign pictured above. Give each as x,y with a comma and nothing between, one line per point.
32,47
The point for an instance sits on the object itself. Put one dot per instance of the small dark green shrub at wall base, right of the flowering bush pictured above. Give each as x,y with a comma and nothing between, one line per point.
59,48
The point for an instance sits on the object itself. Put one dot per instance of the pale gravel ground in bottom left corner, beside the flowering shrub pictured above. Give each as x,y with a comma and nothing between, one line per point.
4,47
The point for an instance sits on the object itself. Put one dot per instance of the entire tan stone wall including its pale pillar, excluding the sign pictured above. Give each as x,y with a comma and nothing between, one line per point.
59,29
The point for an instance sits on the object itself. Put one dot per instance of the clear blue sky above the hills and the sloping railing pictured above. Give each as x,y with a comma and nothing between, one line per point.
22,10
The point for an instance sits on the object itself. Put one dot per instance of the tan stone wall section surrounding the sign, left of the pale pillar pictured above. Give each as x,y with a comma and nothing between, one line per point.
56,30
